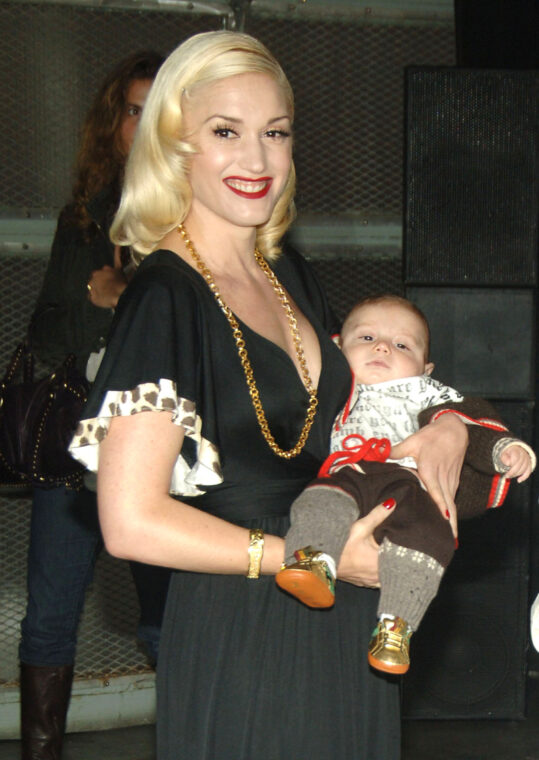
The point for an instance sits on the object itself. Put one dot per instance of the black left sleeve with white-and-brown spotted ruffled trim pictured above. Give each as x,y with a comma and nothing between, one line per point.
153,362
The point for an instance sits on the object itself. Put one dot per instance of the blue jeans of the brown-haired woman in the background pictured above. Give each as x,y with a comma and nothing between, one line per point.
65,542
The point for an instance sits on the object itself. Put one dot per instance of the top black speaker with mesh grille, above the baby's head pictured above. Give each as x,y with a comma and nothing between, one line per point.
472,179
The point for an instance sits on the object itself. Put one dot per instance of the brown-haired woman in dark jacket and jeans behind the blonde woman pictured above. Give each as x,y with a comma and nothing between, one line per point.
85,277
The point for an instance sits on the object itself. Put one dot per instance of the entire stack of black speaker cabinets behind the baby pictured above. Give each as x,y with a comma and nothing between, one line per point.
471,245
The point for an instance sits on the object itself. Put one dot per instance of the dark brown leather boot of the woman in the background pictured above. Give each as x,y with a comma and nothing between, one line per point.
45,692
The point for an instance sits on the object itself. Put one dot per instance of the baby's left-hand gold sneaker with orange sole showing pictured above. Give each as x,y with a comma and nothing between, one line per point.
309,579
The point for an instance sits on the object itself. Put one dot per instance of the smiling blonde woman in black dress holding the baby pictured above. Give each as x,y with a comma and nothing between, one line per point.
213,409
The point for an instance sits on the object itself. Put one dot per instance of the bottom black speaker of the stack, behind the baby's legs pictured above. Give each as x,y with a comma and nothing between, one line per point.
469,654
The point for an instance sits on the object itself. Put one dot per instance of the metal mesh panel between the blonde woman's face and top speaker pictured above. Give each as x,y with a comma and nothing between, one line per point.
348,79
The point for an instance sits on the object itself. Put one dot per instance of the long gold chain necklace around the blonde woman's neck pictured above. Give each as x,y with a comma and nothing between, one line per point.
242,351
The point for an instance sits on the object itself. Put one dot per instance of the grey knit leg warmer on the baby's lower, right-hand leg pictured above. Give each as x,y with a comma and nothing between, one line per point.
409,581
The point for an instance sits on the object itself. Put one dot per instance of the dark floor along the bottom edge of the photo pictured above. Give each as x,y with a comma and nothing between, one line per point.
422,739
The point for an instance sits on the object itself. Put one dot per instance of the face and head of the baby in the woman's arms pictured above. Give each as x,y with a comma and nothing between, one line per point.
384,341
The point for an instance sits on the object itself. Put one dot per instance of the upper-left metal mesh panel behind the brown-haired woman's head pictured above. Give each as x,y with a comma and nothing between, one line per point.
53,59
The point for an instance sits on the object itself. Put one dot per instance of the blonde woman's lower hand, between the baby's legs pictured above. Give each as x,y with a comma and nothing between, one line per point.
359,560
